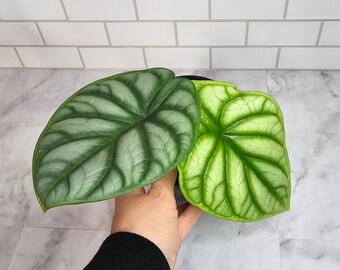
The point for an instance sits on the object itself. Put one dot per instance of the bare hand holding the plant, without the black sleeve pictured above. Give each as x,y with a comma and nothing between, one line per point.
154,215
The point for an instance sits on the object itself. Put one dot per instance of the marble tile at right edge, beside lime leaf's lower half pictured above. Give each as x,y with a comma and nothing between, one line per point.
315,203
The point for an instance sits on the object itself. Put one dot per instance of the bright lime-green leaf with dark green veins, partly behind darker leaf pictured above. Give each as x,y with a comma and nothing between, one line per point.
239,168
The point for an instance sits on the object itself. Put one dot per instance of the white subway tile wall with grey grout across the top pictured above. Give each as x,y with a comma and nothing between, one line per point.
201,34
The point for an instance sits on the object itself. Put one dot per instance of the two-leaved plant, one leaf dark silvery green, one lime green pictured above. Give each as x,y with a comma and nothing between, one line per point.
128,130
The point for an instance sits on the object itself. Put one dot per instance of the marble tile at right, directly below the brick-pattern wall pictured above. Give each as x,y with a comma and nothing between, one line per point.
309,100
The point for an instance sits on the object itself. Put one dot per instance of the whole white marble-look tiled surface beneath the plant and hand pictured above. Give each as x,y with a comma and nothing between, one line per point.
307,237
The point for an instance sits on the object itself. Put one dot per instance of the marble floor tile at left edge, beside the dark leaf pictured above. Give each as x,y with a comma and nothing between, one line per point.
16,146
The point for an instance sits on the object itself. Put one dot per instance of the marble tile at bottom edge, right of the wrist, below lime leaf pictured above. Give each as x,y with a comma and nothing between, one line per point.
216,251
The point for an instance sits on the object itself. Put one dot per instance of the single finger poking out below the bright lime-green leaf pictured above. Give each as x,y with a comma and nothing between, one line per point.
187,219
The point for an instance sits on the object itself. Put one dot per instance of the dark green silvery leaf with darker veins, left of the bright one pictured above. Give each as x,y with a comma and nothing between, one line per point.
115,135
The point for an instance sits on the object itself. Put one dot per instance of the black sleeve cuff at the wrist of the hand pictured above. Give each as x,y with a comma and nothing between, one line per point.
128,251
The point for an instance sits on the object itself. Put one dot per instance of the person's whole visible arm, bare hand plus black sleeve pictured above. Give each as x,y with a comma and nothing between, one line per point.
153,227
